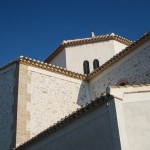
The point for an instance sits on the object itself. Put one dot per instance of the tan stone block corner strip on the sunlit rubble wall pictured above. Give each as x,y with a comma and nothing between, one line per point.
23,115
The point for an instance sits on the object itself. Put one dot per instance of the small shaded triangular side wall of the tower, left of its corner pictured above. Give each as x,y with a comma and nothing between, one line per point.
60,60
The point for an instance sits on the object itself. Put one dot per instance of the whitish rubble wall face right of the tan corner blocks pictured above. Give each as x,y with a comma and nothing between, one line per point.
53,96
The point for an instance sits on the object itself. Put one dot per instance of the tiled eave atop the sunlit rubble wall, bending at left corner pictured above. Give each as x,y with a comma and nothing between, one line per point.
38,64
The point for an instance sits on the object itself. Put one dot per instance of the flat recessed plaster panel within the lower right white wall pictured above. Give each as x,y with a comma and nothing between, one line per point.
137,120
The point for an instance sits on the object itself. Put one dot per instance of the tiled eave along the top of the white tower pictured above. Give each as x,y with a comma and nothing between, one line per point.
95,39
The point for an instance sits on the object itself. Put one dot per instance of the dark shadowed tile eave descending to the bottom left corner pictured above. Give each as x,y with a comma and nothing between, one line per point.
67,120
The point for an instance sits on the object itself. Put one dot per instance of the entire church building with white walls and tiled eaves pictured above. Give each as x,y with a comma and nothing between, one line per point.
99,85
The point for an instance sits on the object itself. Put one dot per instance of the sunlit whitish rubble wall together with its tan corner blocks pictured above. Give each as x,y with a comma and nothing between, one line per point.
46,97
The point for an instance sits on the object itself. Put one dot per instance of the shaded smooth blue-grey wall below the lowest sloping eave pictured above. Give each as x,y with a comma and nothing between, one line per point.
95,130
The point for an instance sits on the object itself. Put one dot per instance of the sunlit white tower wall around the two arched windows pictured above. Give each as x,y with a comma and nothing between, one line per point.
103,51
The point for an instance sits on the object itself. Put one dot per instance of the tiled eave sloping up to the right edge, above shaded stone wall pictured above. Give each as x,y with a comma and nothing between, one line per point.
119,56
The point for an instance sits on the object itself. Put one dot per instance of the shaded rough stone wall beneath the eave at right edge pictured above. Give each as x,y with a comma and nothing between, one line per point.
135,68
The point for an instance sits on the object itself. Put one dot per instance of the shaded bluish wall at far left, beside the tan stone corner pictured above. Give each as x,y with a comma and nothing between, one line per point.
7,85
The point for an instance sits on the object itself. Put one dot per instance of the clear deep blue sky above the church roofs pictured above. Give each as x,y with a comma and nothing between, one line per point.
34,28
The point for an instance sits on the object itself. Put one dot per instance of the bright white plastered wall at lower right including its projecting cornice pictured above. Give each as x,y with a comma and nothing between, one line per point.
133,115
